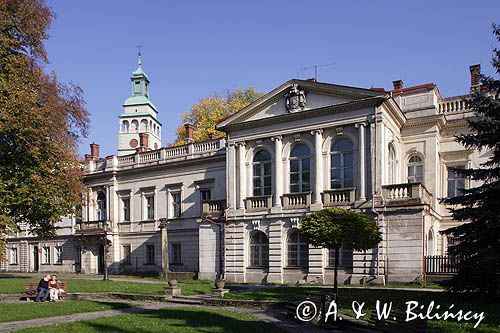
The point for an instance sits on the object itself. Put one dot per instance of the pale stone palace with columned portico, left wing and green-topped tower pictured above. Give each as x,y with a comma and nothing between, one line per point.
234,205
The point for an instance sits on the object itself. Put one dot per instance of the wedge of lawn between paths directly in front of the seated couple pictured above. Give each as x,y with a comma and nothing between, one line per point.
31,310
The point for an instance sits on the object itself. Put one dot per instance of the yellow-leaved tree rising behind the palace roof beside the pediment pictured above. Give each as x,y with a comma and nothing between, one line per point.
209,111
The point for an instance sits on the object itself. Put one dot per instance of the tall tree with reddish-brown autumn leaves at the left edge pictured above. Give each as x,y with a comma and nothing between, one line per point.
41,121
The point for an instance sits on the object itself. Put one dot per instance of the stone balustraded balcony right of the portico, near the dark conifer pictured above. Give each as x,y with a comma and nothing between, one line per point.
406,194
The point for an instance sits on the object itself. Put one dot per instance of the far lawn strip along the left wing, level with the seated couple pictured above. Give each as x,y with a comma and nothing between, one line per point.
16,285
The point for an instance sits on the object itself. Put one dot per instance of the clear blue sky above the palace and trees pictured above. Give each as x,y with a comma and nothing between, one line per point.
194,49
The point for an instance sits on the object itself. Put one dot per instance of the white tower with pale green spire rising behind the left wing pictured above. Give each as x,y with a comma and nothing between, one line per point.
138,117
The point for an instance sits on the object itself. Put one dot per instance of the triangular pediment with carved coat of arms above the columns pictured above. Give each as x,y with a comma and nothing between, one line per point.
297,96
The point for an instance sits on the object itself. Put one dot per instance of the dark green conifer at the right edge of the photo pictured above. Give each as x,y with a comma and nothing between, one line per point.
478,240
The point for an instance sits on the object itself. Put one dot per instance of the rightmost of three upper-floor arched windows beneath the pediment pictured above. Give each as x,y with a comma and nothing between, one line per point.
342,164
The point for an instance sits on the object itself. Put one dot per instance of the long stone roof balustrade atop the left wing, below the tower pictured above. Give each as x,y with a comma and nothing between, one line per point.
162,155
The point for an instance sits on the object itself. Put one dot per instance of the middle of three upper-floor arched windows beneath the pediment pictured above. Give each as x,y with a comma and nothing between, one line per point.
300,169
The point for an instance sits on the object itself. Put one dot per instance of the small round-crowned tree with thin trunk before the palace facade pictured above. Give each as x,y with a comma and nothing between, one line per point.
333,228
